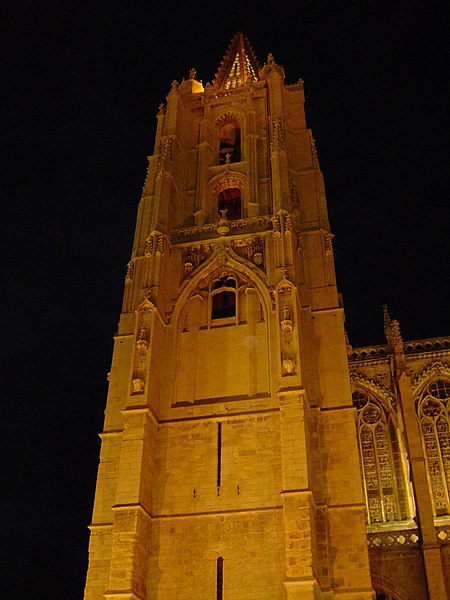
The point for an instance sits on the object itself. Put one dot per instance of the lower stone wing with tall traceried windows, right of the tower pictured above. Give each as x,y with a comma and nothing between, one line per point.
402,395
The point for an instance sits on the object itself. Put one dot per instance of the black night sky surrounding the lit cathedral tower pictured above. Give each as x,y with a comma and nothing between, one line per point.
82,85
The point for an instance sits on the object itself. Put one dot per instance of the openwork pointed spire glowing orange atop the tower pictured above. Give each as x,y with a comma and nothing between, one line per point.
239,65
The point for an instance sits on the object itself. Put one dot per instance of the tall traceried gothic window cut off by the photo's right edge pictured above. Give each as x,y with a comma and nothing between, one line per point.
433,413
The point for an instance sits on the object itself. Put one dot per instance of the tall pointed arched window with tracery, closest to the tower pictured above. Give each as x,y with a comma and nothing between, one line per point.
381,461
